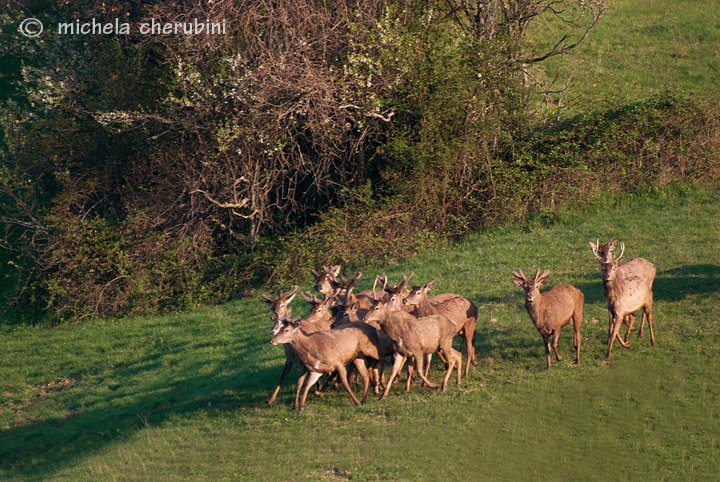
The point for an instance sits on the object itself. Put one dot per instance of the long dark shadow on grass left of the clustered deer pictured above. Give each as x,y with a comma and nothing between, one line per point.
102,410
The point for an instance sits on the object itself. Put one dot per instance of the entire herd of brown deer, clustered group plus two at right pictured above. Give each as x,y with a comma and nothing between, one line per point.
402,322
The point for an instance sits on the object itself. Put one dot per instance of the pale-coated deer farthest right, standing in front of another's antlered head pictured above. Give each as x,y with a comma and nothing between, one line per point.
627,288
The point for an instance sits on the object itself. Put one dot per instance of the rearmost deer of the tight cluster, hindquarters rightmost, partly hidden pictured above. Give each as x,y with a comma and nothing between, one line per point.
457,309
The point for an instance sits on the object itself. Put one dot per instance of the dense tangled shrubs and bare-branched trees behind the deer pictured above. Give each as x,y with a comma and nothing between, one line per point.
147,173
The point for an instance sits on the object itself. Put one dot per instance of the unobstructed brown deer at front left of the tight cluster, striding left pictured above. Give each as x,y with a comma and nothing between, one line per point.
329,351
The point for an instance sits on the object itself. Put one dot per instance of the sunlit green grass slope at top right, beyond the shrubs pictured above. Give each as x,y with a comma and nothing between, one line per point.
642,48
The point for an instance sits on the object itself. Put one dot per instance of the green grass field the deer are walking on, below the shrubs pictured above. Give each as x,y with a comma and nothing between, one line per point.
183,396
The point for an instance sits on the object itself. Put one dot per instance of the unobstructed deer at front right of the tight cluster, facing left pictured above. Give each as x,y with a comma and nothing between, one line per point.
416,337
